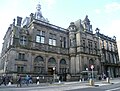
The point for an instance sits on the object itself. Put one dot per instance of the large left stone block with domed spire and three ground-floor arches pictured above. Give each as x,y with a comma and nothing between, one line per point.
35,47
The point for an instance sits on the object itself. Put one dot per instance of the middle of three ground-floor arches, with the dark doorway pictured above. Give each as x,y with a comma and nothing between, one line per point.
51,66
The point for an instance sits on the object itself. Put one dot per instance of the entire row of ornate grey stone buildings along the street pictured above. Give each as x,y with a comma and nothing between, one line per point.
33,46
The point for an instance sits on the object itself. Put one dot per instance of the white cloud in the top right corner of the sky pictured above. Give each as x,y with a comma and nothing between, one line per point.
112,7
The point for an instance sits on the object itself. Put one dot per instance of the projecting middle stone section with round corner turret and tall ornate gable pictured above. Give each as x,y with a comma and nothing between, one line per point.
84,48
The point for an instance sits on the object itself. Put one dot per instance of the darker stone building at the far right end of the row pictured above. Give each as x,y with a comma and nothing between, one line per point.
110,64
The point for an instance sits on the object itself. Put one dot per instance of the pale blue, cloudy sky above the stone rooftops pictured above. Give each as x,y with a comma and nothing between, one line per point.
104,14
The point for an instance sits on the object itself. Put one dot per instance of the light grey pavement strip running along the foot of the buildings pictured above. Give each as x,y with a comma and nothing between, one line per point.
82,83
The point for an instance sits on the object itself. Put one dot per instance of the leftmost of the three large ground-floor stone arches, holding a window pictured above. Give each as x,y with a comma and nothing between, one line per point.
39,65
